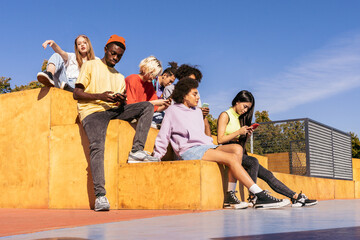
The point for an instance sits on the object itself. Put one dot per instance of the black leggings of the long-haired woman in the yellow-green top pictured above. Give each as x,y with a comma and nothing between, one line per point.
252,166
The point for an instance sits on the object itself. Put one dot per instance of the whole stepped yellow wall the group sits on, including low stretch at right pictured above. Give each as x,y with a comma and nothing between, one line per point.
45,164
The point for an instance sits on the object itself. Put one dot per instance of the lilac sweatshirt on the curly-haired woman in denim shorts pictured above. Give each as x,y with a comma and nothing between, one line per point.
183,127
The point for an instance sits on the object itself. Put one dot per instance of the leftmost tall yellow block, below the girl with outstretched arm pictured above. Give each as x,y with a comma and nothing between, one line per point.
24,147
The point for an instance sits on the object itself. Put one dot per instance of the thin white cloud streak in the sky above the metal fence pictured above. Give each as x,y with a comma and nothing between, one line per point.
326,72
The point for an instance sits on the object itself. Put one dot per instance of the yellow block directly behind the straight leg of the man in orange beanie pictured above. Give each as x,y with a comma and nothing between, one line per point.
70,179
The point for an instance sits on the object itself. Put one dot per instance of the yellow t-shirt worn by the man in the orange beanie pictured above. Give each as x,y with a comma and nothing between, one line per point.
97,77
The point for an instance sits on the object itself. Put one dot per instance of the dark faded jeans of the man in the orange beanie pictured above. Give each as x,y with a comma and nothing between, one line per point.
95,126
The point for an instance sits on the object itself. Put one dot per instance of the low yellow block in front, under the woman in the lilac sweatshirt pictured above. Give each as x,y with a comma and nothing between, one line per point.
170,185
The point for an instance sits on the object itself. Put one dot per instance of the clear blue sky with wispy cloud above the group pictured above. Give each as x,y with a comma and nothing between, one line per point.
300,59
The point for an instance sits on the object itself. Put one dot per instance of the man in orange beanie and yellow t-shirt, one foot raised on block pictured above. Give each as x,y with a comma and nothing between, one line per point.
100,91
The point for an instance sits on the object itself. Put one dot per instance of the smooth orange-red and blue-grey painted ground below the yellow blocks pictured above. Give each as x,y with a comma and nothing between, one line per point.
333,219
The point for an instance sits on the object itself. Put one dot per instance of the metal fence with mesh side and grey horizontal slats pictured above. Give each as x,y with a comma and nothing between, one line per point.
304,147
